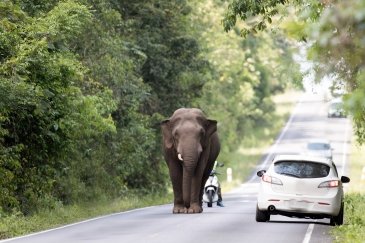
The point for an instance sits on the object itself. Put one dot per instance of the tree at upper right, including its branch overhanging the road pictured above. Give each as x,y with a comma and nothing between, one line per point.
334,28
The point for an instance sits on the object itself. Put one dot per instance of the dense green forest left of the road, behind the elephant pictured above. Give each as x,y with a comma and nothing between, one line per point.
85,83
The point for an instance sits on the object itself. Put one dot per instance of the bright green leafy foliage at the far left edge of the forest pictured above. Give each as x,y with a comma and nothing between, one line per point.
42,106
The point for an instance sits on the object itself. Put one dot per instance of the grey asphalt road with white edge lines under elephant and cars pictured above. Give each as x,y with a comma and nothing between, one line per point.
236,221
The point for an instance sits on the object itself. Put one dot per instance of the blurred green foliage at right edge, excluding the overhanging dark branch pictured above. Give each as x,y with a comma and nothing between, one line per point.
339,51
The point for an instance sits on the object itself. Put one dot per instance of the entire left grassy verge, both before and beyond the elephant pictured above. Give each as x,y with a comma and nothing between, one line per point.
242,163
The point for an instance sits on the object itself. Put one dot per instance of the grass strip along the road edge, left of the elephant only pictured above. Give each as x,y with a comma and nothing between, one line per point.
17,224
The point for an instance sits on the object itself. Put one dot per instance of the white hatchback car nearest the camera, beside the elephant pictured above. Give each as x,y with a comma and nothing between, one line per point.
301,186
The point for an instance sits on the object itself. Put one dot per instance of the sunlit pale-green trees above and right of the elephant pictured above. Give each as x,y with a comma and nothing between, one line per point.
245,73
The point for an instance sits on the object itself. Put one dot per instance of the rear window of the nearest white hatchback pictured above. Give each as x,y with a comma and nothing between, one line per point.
301,169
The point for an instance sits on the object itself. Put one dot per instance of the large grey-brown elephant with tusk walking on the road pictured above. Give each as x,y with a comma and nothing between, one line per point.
190,147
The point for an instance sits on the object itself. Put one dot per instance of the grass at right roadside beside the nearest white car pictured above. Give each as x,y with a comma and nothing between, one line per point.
353,229
